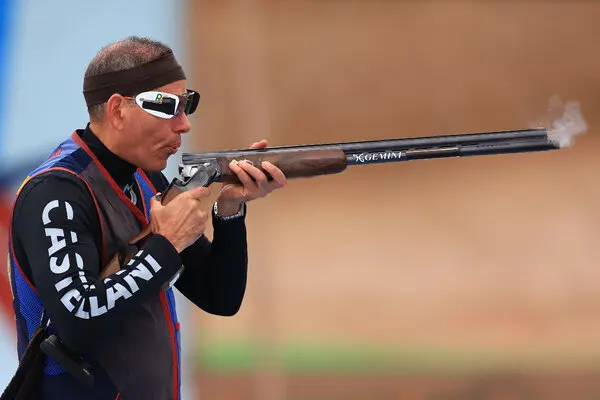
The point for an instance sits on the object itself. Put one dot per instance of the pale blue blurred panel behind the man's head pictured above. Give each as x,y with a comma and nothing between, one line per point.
49,46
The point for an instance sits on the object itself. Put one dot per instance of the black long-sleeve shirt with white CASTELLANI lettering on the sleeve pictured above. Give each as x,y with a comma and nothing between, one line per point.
44,239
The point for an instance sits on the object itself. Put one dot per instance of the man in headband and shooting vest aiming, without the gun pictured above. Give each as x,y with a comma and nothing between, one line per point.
96,191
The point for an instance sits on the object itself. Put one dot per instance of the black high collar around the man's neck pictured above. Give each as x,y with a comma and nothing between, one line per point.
120,170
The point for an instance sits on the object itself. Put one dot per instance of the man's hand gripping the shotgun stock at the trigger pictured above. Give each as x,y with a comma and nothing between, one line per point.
182,220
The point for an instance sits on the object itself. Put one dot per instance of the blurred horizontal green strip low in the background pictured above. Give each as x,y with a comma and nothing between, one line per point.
318,357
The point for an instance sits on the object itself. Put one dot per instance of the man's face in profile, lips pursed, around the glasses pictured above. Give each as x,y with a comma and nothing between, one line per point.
148,141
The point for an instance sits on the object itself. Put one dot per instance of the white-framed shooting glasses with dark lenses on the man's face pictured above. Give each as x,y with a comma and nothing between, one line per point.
168,105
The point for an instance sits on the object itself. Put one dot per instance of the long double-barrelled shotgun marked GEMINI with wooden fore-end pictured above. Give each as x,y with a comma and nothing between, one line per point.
304,161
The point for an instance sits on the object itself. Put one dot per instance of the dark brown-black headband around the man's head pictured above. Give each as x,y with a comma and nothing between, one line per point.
151,75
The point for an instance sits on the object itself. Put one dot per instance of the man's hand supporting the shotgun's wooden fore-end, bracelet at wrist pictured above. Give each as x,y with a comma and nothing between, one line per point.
253,183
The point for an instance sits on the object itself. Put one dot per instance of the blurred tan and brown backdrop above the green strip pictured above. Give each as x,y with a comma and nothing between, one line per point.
483,251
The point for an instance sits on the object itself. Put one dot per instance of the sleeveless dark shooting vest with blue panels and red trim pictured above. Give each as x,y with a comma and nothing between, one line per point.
143,360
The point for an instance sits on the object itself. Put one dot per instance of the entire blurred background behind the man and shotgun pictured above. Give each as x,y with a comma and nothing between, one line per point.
470,278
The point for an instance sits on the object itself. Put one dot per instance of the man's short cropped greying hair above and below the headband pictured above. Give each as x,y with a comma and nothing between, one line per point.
123,54
